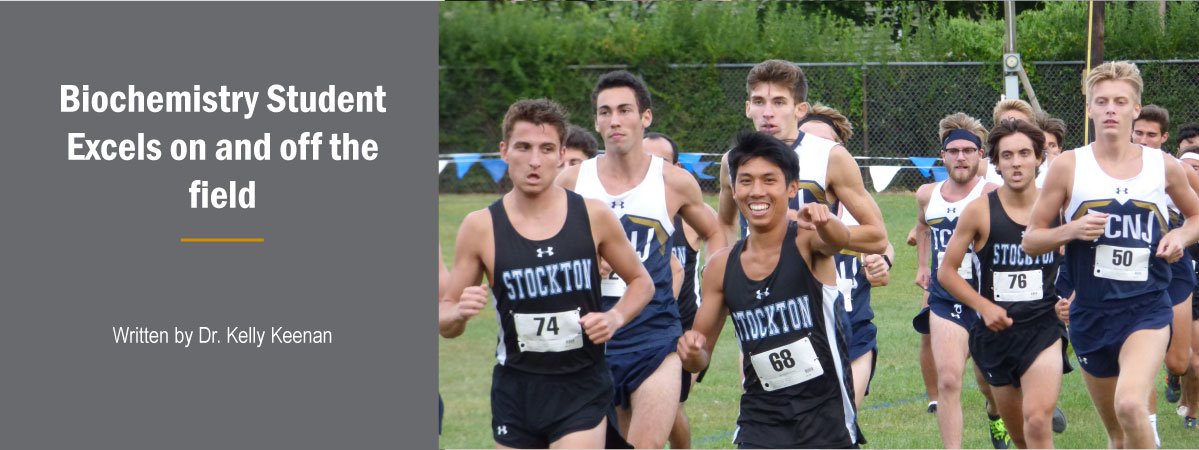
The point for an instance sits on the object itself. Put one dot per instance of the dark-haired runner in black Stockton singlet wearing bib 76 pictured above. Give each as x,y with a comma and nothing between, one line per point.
1020,343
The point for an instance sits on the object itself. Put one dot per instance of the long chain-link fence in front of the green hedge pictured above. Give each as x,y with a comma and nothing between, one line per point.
895,109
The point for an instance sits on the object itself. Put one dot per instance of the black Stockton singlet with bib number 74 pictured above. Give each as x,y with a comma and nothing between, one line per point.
543,290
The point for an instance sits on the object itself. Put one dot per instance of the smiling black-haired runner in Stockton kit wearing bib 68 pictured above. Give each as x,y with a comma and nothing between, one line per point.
779,286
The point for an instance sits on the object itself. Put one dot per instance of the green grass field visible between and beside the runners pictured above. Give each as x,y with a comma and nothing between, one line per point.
891,417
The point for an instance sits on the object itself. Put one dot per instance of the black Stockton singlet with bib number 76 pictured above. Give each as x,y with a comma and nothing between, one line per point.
1021,284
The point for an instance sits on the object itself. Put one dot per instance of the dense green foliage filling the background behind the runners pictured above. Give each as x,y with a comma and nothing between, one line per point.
695,58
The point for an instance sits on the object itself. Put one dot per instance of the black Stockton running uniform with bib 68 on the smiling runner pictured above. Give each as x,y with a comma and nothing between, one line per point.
798,387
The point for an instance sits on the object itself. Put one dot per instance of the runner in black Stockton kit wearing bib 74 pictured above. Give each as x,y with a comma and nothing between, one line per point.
539,245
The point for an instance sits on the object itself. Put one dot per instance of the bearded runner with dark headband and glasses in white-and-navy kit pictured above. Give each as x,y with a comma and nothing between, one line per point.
948,320
